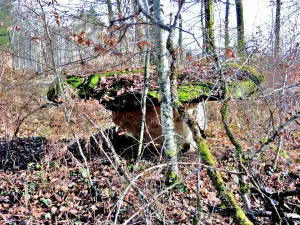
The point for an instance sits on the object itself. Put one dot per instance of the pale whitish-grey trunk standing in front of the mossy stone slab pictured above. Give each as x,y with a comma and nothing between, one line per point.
165,93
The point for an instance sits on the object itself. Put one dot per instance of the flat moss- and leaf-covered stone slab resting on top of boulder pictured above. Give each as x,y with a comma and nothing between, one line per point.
121,90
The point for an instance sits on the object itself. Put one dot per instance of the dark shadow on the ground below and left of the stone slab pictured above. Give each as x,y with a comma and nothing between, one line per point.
18,153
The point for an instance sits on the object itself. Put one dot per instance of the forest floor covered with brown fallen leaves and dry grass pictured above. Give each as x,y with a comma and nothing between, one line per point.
52,187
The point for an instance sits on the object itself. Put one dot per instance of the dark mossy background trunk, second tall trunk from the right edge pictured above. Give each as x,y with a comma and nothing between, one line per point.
240,26
